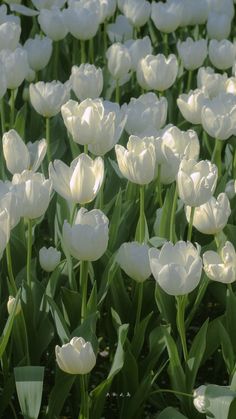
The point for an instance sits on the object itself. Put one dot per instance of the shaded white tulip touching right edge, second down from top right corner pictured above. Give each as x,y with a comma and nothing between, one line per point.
222,53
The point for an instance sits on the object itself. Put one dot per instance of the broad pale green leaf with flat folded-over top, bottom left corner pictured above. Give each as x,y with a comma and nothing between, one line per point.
29,387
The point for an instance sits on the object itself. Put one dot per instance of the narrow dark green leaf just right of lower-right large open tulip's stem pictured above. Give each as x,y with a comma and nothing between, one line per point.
196,354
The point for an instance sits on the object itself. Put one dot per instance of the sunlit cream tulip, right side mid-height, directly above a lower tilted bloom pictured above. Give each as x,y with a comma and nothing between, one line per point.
196,181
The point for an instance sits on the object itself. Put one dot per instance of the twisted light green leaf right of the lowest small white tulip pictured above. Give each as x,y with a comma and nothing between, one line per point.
99,393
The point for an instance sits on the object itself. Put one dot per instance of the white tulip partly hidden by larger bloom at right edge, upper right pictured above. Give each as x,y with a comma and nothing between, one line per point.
191,104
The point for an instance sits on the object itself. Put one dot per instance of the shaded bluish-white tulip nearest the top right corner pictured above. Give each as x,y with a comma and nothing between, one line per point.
218,26
